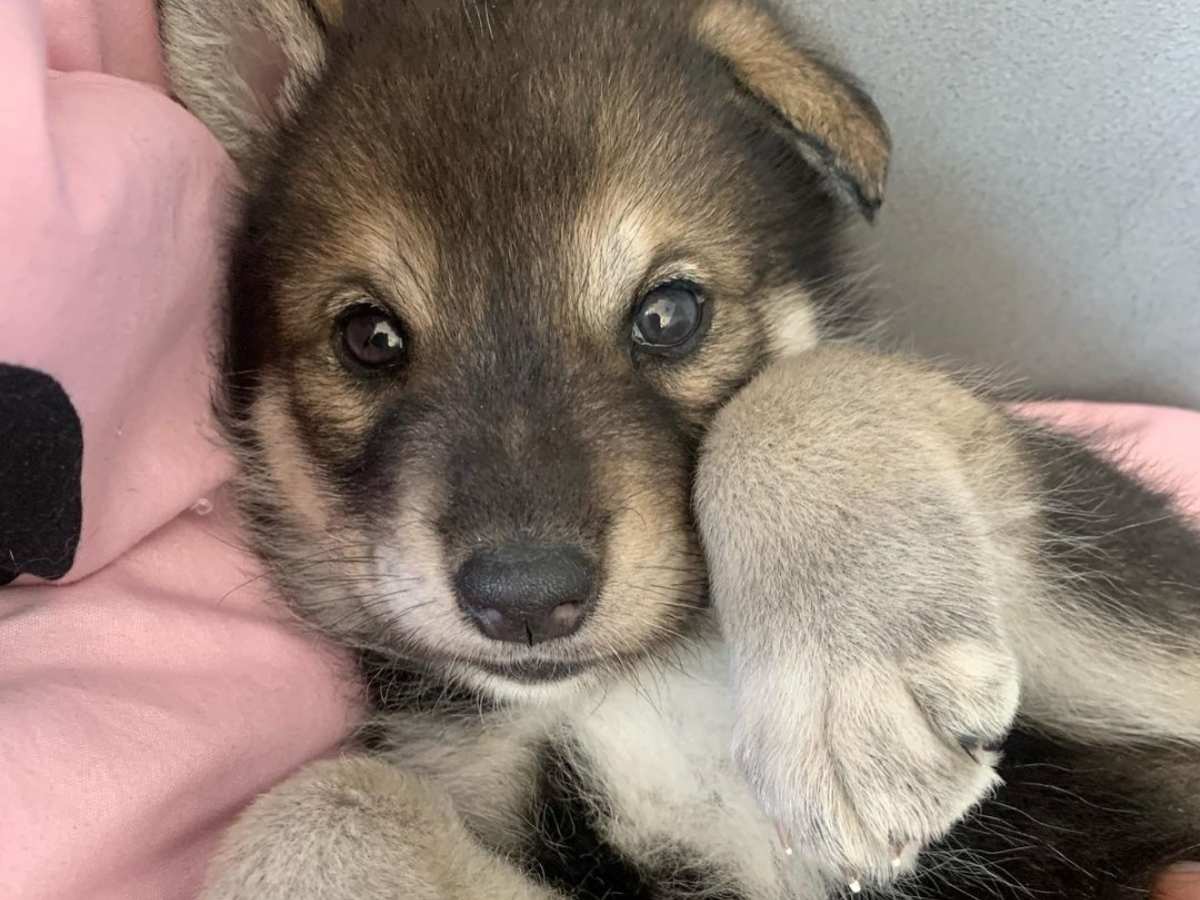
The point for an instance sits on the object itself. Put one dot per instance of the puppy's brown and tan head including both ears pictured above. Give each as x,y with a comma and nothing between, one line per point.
499,266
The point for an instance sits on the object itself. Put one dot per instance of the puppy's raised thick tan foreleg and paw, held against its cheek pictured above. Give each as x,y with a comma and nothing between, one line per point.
874,536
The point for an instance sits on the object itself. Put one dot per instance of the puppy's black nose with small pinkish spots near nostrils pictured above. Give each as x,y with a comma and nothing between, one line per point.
527,593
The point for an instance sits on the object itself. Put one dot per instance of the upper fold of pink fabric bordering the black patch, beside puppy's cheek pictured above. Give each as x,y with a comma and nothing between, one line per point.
118,194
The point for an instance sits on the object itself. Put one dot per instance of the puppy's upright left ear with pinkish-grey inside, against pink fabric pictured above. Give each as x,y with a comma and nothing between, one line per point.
242,65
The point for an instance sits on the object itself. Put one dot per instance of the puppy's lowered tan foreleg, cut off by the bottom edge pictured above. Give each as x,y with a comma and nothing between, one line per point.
359,829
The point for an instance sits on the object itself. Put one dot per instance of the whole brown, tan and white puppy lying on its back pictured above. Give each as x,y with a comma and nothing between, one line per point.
543,370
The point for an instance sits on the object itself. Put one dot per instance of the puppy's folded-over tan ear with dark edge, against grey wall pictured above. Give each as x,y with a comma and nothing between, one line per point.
838,128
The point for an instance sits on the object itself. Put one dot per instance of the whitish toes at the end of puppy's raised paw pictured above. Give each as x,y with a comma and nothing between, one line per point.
862,763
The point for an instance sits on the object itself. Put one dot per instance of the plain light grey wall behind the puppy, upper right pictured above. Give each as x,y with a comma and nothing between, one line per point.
1045,205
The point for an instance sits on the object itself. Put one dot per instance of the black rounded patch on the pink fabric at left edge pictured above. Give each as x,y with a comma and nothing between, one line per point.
41,465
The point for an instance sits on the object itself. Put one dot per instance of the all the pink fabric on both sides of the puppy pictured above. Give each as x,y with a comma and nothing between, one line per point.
148,691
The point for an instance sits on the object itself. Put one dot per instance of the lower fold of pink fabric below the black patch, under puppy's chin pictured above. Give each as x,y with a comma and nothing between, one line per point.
141,709
